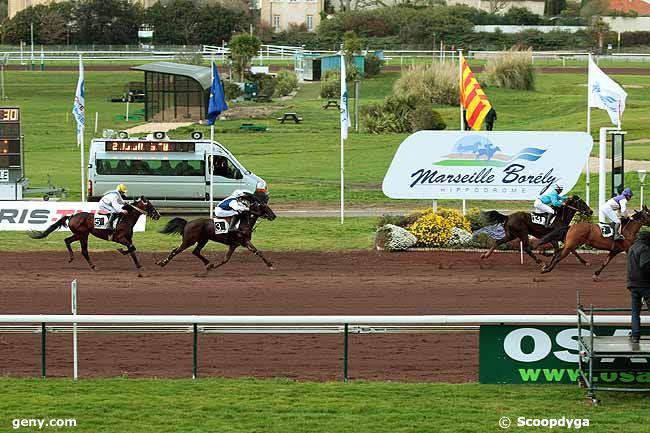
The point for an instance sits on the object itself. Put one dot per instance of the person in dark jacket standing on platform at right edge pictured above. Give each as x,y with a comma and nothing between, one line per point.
638,279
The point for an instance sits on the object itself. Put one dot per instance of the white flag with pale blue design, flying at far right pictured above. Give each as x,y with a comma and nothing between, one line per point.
605,93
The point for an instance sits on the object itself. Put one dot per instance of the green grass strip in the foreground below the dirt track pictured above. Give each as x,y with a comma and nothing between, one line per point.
283,406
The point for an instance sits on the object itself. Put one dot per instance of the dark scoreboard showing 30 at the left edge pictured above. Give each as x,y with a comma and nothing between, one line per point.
11,154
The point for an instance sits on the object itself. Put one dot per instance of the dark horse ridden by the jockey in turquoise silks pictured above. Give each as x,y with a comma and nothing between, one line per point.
520,225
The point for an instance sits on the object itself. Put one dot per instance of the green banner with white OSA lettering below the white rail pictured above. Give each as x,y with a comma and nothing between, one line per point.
549,354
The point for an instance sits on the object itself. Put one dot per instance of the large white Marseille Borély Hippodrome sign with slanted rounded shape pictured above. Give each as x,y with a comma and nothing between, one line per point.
486,165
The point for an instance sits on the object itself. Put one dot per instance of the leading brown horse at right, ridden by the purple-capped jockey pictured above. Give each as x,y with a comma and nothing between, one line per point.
586,233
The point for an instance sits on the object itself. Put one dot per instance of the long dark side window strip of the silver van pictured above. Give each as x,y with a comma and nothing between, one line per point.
133,167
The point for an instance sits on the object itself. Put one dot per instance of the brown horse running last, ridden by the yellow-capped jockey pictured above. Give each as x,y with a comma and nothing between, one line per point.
82,225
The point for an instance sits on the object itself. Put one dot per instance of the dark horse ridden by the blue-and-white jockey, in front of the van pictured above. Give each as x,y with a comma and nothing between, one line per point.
200,231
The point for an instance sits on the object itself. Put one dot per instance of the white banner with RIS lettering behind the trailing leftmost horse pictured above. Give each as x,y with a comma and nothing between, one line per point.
39,215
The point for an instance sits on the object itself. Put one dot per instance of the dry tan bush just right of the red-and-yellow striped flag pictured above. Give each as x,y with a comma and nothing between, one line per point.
511,70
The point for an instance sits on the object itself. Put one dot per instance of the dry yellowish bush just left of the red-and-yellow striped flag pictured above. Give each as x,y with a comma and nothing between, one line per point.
437,84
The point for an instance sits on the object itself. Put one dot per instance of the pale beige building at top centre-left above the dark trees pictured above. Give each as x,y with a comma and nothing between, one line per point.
281,13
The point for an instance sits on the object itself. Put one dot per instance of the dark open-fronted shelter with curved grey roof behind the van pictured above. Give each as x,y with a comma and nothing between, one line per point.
175,92
